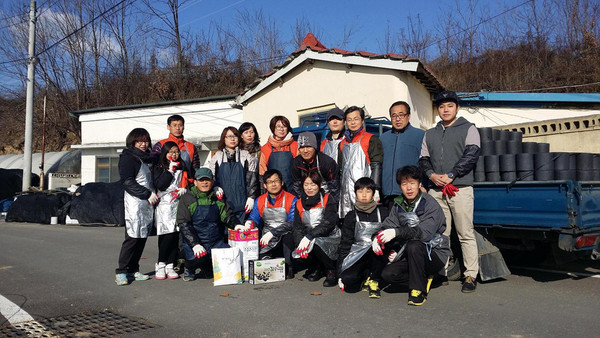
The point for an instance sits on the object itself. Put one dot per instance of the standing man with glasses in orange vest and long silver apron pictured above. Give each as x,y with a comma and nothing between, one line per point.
362,154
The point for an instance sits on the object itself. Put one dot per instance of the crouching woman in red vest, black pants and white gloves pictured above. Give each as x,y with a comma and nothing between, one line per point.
315,230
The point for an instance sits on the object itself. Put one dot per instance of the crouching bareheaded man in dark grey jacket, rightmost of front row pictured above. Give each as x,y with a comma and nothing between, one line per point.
416,227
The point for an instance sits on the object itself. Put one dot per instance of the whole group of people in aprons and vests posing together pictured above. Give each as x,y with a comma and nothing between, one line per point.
353,209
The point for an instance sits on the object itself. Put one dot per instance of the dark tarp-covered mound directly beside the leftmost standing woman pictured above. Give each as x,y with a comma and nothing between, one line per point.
98,203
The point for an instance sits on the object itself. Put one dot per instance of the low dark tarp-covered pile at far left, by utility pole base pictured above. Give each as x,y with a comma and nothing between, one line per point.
38,207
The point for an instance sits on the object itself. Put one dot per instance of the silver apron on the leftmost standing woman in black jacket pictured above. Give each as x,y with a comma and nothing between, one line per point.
139,213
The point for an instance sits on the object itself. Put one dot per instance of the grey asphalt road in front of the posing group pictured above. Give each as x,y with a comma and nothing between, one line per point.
58,270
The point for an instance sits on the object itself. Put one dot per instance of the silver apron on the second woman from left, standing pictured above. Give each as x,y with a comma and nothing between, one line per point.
166,210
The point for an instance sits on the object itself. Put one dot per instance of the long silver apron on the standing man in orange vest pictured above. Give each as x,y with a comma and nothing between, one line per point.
355,166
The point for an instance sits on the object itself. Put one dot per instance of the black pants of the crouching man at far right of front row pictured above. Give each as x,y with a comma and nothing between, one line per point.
414,268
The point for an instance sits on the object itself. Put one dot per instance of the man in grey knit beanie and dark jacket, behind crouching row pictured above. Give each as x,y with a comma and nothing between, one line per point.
310,158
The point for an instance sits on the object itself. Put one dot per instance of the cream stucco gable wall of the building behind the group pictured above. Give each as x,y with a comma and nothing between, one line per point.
324,83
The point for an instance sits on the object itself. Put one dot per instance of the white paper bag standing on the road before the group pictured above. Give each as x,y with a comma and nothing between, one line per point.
227,266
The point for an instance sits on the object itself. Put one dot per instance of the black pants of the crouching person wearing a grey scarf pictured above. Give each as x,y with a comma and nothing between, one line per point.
369,265
